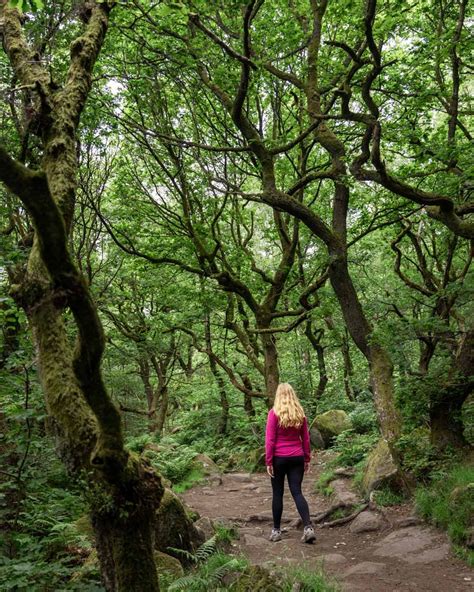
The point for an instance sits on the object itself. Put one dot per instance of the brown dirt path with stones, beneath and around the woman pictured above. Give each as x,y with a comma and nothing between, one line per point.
413,558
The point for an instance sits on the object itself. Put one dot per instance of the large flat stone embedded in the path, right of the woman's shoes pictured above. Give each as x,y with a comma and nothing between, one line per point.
413,545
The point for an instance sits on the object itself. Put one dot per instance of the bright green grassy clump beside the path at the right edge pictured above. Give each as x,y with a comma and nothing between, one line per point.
448,501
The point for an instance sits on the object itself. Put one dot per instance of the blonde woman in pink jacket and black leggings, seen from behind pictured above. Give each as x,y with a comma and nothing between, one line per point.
287,452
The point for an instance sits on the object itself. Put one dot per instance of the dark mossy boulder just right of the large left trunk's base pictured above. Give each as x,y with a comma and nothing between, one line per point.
173,527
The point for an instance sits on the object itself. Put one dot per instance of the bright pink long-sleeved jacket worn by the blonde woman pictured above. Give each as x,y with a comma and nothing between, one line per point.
285,441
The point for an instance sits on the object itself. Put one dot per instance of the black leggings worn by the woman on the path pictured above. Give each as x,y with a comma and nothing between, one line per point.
293,466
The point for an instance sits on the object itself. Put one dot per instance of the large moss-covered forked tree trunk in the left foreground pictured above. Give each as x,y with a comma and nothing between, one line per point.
124,492
